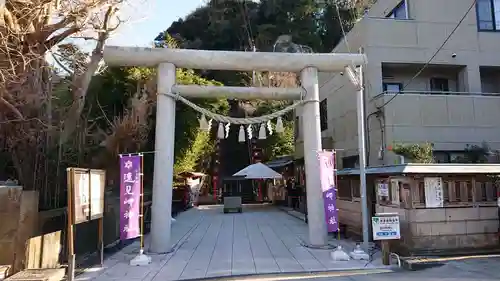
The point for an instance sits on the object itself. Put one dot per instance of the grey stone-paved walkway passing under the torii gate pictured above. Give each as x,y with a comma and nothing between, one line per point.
209,243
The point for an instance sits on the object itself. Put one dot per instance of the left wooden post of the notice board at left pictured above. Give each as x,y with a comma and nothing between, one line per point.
70,227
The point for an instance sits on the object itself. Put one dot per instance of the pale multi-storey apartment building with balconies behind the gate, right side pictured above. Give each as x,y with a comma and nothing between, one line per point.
453,102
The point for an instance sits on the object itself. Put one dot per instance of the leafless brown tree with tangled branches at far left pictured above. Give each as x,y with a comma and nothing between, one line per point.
28,29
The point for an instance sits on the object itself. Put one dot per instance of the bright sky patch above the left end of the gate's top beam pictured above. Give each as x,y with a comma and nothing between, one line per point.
146,18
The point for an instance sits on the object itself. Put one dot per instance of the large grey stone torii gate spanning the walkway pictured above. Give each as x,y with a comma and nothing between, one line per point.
166,61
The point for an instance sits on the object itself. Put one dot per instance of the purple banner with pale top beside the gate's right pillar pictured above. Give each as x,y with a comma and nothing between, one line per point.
329,188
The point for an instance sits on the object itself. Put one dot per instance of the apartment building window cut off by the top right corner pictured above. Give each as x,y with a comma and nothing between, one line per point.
488,15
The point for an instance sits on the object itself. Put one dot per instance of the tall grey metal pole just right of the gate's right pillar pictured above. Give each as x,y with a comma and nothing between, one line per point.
362,156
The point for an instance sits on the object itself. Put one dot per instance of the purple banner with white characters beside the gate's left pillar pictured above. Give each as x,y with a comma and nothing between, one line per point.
130,196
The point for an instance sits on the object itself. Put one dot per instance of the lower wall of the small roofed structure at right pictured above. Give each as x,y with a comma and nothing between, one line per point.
437,230
